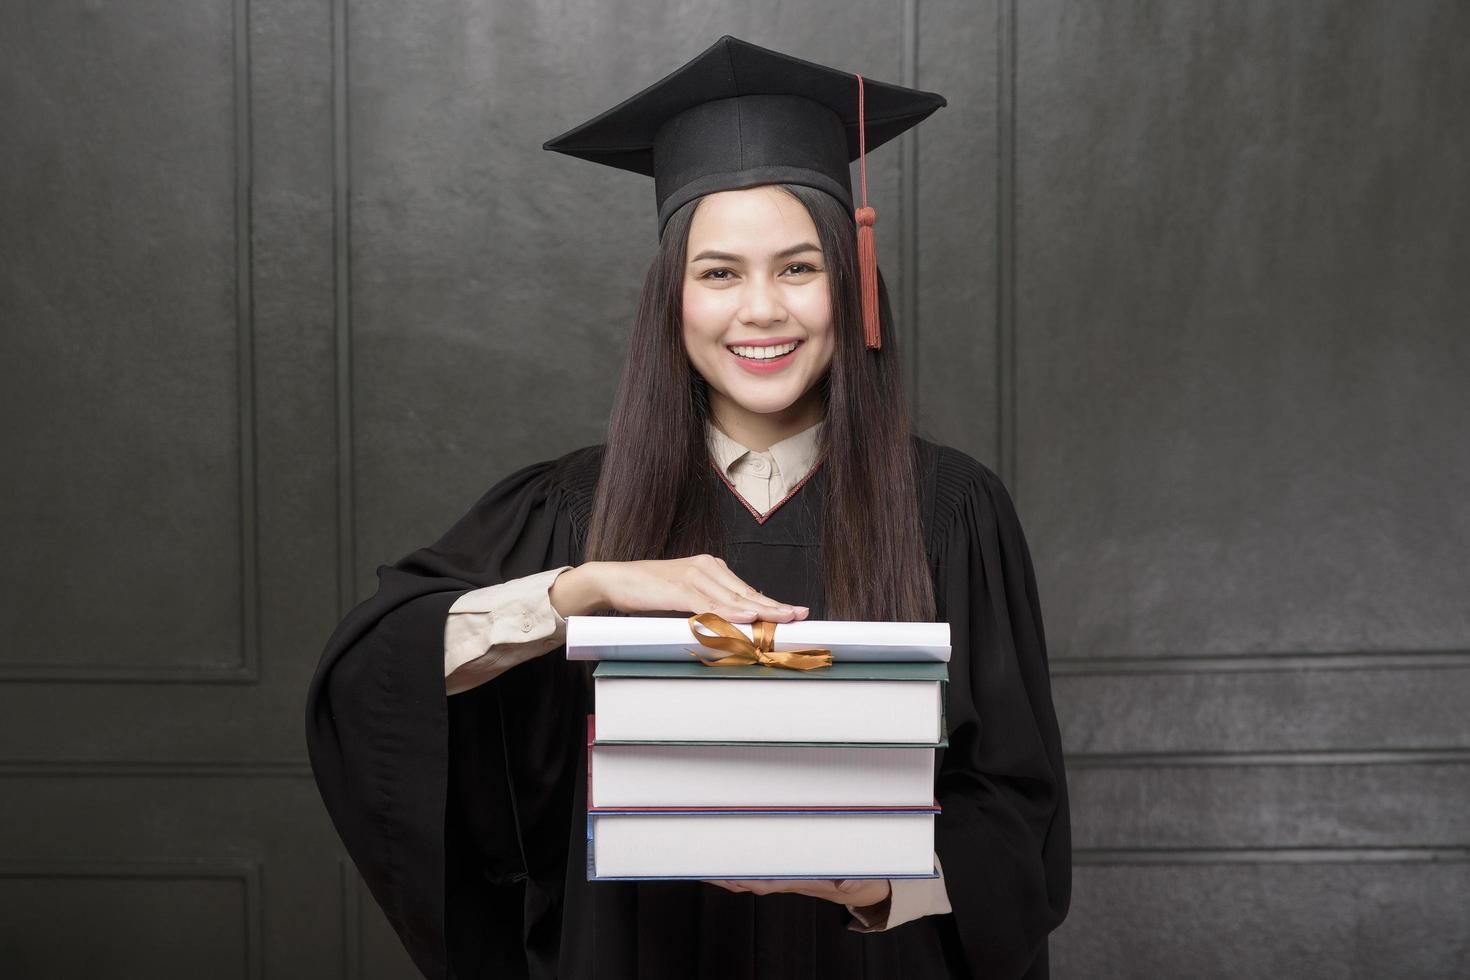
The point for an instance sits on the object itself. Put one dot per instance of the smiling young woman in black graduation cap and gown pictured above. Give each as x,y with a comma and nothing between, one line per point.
759,465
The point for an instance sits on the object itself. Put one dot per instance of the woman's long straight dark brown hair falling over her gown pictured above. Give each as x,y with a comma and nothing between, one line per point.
656,497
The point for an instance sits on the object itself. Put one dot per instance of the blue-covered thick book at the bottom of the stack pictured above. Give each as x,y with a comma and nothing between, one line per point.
761,844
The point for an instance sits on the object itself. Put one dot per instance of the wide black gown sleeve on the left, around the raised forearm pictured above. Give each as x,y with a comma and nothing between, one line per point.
381,729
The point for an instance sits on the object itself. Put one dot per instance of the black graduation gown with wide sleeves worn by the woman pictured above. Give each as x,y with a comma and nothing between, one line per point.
467,815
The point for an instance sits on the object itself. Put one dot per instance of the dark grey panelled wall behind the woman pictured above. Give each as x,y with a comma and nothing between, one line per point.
286,287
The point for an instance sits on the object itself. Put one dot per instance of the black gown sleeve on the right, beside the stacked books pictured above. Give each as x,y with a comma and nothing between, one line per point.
1003,834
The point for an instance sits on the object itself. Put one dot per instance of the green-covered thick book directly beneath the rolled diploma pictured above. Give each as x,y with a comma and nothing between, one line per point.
845,703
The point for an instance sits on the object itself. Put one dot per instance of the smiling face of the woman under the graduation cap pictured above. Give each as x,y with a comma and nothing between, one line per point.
758,315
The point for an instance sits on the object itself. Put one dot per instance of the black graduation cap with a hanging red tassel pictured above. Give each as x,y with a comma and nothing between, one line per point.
740,115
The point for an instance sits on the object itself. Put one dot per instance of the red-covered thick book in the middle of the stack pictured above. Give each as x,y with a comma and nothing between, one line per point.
687,775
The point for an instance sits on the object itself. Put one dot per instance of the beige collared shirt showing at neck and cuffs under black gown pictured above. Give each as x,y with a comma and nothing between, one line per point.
493,630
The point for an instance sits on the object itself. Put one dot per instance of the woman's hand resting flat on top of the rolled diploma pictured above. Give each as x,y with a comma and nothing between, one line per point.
699,584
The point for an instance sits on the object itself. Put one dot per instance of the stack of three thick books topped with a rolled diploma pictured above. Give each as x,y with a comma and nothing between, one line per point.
759,772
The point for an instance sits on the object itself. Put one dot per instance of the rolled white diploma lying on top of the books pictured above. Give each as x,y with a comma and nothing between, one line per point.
670,638
